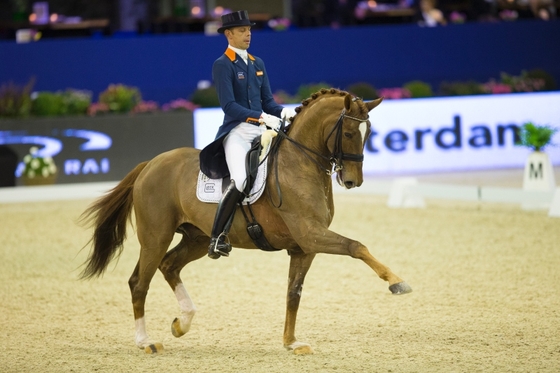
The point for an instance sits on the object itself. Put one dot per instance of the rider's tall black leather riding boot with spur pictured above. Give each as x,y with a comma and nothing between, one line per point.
222,222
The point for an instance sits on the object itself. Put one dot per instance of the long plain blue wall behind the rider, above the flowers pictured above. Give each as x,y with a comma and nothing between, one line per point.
166,67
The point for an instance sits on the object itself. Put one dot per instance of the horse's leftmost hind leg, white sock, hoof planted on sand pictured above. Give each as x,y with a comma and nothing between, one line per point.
152,250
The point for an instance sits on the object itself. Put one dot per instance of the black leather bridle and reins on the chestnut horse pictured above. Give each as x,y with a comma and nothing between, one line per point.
335,159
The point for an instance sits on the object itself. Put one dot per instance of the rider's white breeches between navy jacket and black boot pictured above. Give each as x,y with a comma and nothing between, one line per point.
236,145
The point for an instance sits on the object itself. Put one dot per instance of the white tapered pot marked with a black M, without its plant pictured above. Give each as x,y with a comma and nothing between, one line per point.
538,177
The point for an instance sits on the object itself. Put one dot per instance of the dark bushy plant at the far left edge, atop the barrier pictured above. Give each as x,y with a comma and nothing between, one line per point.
15,100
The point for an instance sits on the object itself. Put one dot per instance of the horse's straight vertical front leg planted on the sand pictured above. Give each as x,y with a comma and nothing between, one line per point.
299,265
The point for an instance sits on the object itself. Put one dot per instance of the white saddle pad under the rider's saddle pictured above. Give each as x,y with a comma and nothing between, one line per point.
210,190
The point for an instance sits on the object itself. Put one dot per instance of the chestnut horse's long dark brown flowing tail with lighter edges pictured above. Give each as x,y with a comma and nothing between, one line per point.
109,216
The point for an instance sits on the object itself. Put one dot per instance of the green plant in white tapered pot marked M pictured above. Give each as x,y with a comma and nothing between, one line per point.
538,174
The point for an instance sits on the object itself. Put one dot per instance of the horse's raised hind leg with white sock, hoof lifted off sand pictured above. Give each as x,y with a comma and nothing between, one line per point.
193,246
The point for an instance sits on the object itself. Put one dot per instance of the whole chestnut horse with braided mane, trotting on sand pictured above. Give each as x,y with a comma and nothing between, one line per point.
326,136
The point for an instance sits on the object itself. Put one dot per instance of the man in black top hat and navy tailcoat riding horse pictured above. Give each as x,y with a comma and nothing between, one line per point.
249,107
